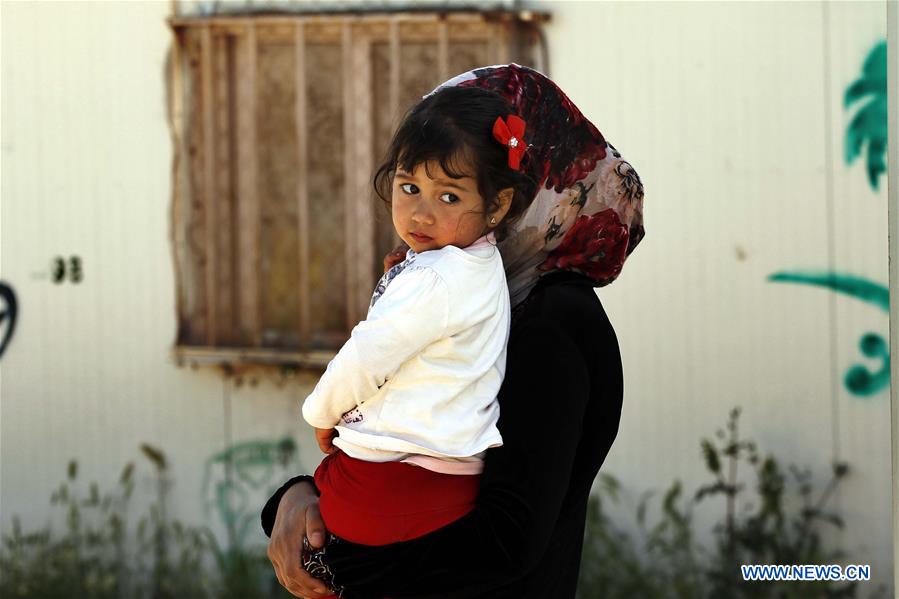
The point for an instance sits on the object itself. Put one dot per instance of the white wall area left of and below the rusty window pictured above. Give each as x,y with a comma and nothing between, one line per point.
86,158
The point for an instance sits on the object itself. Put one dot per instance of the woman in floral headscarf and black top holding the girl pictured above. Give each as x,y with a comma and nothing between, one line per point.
560,399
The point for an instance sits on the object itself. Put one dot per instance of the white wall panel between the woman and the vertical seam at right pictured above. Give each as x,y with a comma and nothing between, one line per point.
697,322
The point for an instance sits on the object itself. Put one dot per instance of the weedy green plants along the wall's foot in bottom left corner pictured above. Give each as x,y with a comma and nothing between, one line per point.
98,556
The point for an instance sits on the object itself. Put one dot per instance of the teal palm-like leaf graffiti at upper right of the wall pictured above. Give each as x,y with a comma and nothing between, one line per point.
869,125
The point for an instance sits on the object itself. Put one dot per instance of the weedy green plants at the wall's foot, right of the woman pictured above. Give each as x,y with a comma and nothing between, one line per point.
664,560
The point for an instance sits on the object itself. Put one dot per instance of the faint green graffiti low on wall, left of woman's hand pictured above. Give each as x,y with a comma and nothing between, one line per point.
234,478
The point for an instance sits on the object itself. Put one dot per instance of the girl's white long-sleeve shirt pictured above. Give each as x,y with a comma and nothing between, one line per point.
418,378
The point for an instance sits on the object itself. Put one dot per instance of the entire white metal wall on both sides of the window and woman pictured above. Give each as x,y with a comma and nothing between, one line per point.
732,114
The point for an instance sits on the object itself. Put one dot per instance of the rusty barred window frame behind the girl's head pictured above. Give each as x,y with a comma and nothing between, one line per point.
214,121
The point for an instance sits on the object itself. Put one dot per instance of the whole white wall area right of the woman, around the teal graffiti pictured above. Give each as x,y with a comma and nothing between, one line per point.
732,113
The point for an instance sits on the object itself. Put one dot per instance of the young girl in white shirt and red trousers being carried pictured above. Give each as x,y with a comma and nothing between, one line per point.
411,396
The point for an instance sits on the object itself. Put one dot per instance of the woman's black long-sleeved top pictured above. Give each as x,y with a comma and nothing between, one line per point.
560,404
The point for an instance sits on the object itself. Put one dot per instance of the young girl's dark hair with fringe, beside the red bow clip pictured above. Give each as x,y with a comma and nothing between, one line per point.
454,127
